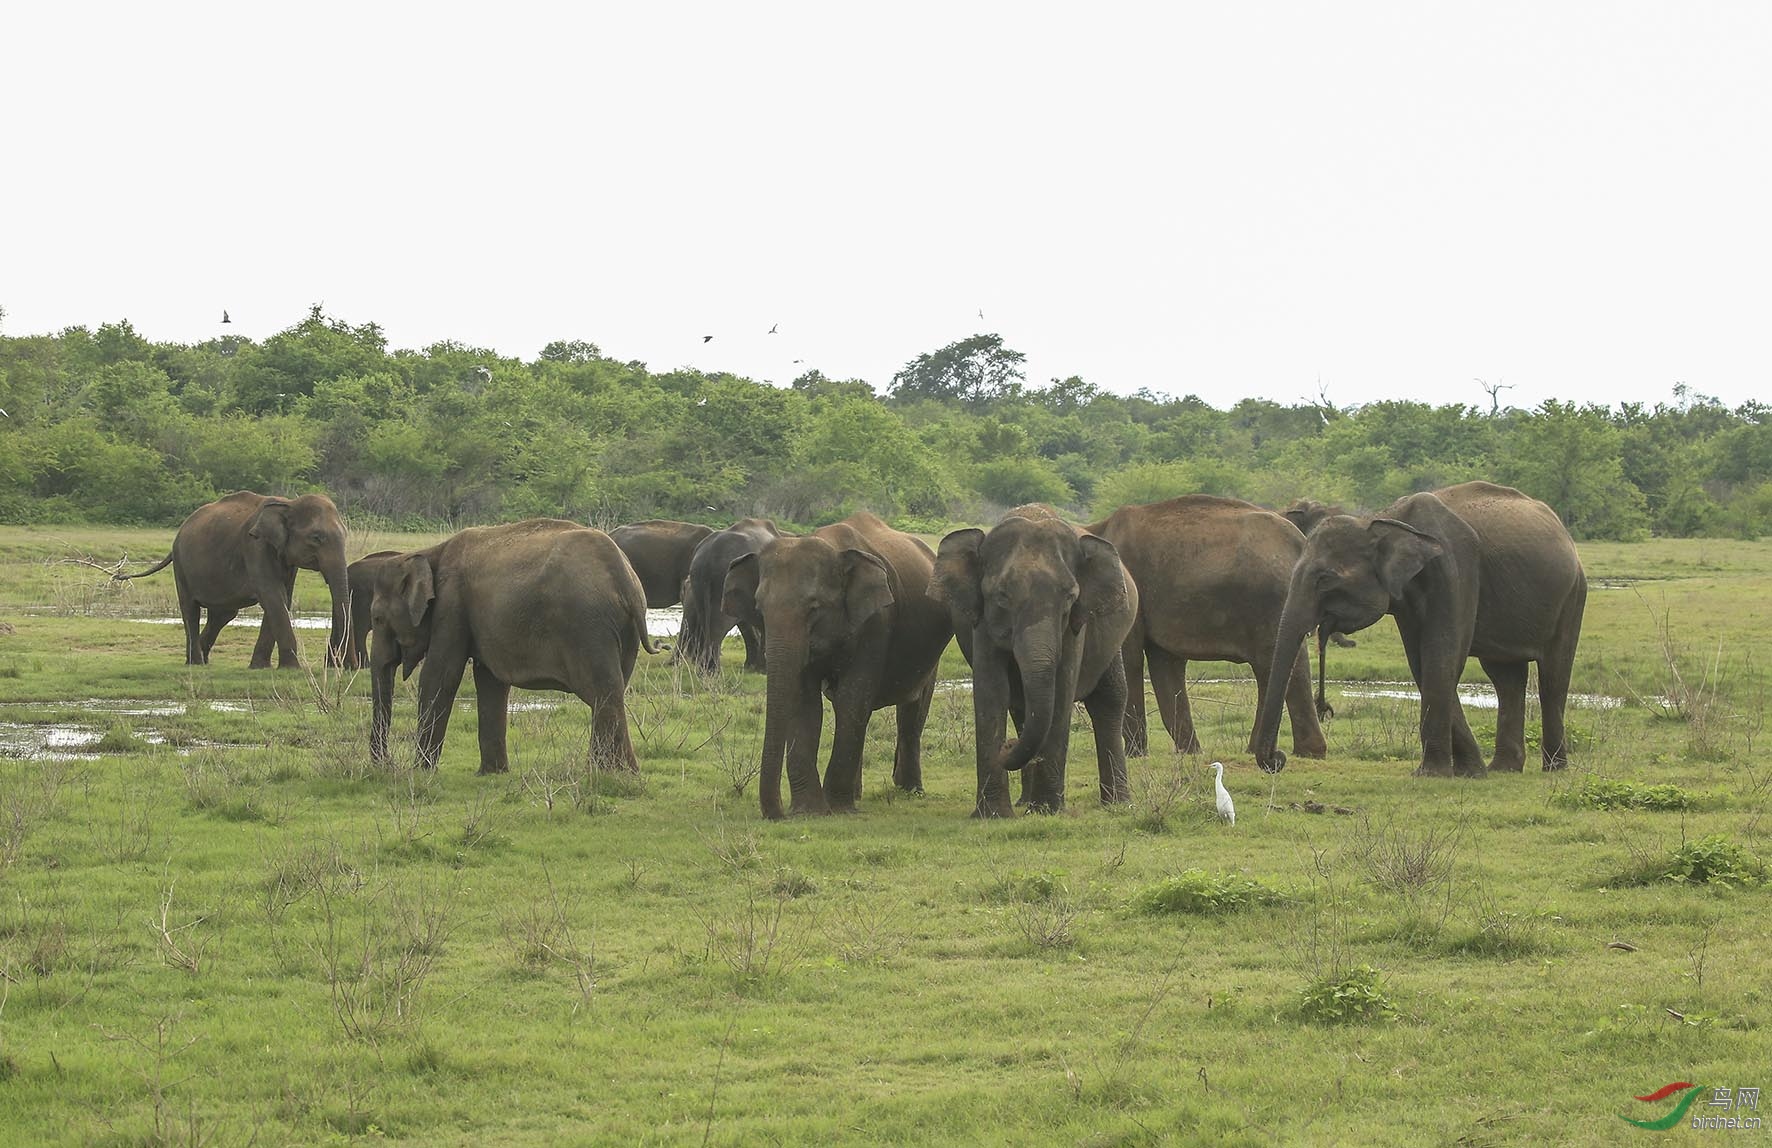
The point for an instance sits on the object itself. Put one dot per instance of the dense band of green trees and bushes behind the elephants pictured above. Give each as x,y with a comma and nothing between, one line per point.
105,426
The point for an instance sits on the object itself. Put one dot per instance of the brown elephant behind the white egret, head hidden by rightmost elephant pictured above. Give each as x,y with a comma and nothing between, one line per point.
1211,578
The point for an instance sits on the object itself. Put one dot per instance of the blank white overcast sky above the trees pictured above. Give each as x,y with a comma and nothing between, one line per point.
1225,199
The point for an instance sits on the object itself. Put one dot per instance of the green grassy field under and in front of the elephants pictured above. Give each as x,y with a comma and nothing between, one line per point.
228,927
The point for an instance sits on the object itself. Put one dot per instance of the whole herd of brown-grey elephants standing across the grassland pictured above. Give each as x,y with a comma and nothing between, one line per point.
1046,614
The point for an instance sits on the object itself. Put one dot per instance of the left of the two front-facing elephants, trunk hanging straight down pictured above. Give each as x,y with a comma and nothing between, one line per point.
846,612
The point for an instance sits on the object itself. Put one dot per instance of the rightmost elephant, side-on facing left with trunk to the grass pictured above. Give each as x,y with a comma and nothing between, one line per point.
1473,570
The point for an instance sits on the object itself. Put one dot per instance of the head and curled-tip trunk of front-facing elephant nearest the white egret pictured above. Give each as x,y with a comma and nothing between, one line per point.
1029,589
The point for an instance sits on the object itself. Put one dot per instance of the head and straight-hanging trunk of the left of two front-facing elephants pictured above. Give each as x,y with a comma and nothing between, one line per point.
812,600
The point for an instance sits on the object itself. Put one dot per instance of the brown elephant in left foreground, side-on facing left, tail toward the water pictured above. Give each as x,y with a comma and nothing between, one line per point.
541,605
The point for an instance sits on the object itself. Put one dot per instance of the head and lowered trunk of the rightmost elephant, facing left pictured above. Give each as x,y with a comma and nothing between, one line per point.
1353,573
